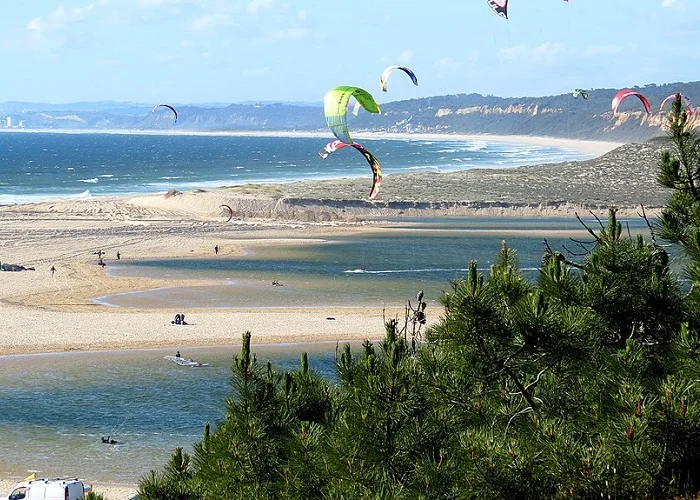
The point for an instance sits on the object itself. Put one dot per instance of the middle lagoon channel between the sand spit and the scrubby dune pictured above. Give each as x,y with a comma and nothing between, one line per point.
384,267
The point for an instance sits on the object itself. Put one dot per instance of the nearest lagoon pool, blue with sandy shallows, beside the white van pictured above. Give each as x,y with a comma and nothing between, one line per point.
56,407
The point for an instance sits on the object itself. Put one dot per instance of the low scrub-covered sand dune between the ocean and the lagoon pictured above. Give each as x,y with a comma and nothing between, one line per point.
624,177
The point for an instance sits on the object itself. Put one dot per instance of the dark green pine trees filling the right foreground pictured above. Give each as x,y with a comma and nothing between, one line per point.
581,385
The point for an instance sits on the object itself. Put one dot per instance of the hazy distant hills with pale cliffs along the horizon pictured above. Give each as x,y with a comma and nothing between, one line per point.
557,116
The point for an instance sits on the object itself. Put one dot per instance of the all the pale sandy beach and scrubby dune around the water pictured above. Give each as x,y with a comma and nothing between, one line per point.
45,312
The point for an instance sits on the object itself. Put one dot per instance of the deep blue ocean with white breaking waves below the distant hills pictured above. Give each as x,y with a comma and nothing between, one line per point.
41,166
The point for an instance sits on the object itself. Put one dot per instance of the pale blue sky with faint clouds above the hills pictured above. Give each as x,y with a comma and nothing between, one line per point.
198,51
